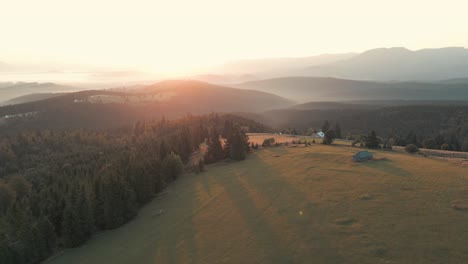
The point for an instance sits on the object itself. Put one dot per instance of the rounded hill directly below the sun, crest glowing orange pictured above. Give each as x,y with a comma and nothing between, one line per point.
110,108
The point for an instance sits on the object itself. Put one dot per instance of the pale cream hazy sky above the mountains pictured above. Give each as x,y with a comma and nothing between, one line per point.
175,35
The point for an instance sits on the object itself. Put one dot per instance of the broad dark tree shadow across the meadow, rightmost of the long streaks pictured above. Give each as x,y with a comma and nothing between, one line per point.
300,214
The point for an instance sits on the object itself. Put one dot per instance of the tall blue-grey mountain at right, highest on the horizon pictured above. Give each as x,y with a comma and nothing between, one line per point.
398,64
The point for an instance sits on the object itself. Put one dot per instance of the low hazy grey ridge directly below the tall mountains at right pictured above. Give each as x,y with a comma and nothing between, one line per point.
304,89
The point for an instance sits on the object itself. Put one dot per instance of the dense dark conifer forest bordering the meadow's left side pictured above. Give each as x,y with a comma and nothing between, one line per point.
58,188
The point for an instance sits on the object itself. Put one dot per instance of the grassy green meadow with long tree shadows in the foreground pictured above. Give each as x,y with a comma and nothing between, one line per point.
298,205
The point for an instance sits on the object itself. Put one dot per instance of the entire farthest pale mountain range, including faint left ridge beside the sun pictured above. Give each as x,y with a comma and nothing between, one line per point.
383,64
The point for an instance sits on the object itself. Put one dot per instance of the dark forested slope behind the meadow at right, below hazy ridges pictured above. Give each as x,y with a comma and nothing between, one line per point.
414,123
